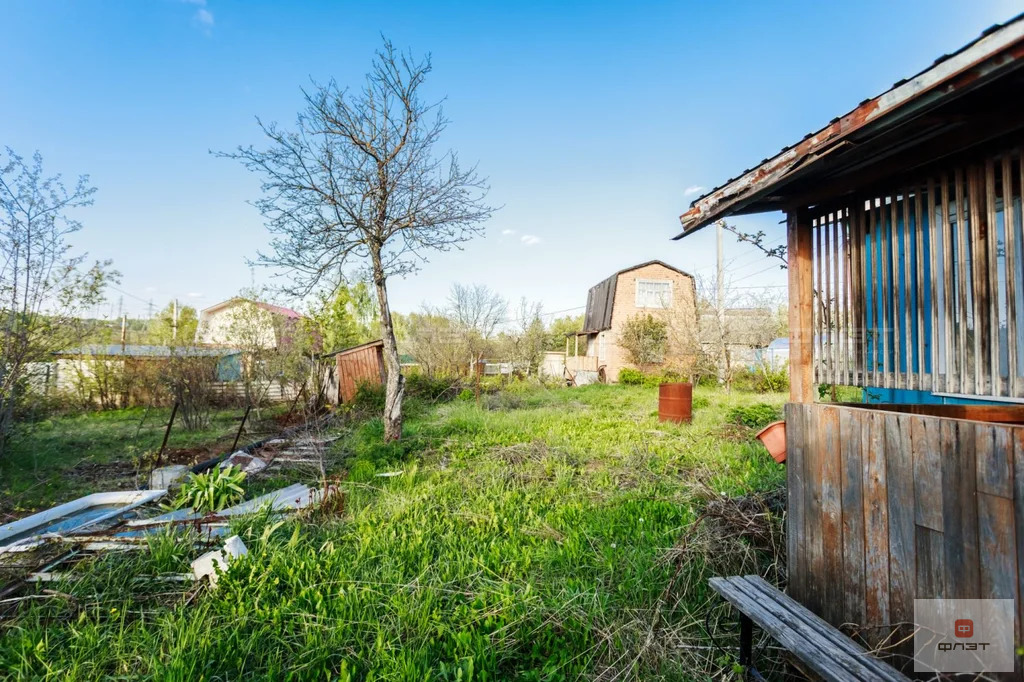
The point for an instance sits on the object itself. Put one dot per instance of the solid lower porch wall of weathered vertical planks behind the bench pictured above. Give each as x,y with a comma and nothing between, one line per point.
886,507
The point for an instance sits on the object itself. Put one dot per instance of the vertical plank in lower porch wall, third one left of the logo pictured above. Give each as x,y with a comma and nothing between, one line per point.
855,455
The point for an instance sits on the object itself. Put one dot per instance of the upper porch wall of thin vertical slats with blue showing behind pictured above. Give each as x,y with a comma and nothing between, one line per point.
918,288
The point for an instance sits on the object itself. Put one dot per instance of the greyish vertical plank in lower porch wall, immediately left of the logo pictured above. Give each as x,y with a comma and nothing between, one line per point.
900,484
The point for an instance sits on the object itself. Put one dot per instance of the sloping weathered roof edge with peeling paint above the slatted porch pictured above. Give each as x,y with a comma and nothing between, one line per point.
879,129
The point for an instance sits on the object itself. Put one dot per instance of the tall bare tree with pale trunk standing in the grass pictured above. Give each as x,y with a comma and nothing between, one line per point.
359,181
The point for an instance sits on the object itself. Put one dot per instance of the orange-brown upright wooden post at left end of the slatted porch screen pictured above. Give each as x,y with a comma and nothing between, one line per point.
799,242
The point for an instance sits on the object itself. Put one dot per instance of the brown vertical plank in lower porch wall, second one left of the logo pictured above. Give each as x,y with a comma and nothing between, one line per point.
876,525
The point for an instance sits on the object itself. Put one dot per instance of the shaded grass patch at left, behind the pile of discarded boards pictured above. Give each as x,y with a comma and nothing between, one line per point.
62,458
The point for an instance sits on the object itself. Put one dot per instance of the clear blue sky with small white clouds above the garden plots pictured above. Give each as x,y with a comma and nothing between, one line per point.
594,121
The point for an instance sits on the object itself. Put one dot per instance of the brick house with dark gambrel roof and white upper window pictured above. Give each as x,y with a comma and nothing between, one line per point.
655,288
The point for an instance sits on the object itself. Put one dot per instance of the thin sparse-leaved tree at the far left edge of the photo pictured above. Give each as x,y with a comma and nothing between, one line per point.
45,287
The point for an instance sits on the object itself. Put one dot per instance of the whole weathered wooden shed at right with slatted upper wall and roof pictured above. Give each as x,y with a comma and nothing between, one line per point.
906,246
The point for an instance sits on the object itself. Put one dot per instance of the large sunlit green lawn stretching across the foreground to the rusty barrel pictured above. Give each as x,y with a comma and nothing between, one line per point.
543,535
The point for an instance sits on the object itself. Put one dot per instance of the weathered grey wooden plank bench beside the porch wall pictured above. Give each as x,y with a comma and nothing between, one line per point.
823,649
